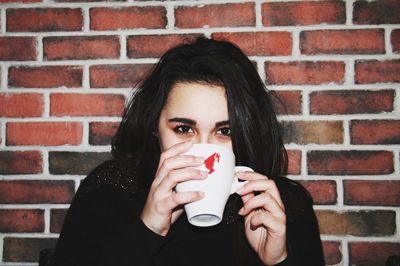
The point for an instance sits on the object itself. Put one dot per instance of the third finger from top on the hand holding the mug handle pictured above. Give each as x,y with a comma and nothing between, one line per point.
265,201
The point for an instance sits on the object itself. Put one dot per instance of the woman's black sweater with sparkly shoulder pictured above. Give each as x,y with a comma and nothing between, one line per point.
103,227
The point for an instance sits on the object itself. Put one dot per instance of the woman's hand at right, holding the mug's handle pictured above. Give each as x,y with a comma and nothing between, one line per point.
265,219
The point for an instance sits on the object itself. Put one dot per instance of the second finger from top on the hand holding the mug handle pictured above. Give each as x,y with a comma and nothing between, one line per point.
265,185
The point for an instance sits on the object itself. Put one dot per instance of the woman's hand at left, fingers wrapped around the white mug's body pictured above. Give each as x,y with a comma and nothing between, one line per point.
163,205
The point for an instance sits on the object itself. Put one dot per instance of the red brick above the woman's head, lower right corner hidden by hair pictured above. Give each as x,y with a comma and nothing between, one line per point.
140,46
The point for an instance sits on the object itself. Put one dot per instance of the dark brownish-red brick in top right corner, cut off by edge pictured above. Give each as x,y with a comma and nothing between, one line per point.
376,12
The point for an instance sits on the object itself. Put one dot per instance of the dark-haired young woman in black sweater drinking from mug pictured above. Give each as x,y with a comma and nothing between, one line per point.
126,212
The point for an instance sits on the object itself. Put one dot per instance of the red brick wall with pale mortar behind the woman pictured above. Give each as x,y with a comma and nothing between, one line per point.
67,68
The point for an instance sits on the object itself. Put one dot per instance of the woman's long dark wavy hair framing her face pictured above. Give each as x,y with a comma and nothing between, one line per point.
255,131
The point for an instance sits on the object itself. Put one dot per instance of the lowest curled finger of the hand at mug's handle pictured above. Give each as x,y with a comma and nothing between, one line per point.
275,225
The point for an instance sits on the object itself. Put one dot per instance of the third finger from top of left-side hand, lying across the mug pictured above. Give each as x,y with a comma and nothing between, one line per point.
176,176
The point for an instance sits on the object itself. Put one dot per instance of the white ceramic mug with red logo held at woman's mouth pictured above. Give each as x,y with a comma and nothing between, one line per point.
219,184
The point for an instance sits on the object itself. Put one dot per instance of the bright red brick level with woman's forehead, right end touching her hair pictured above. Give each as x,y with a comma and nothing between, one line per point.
80,104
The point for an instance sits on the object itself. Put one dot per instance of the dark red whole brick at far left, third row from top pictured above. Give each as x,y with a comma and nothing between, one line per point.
50,76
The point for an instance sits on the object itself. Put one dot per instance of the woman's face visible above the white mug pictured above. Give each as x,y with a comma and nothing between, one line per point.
195,112
